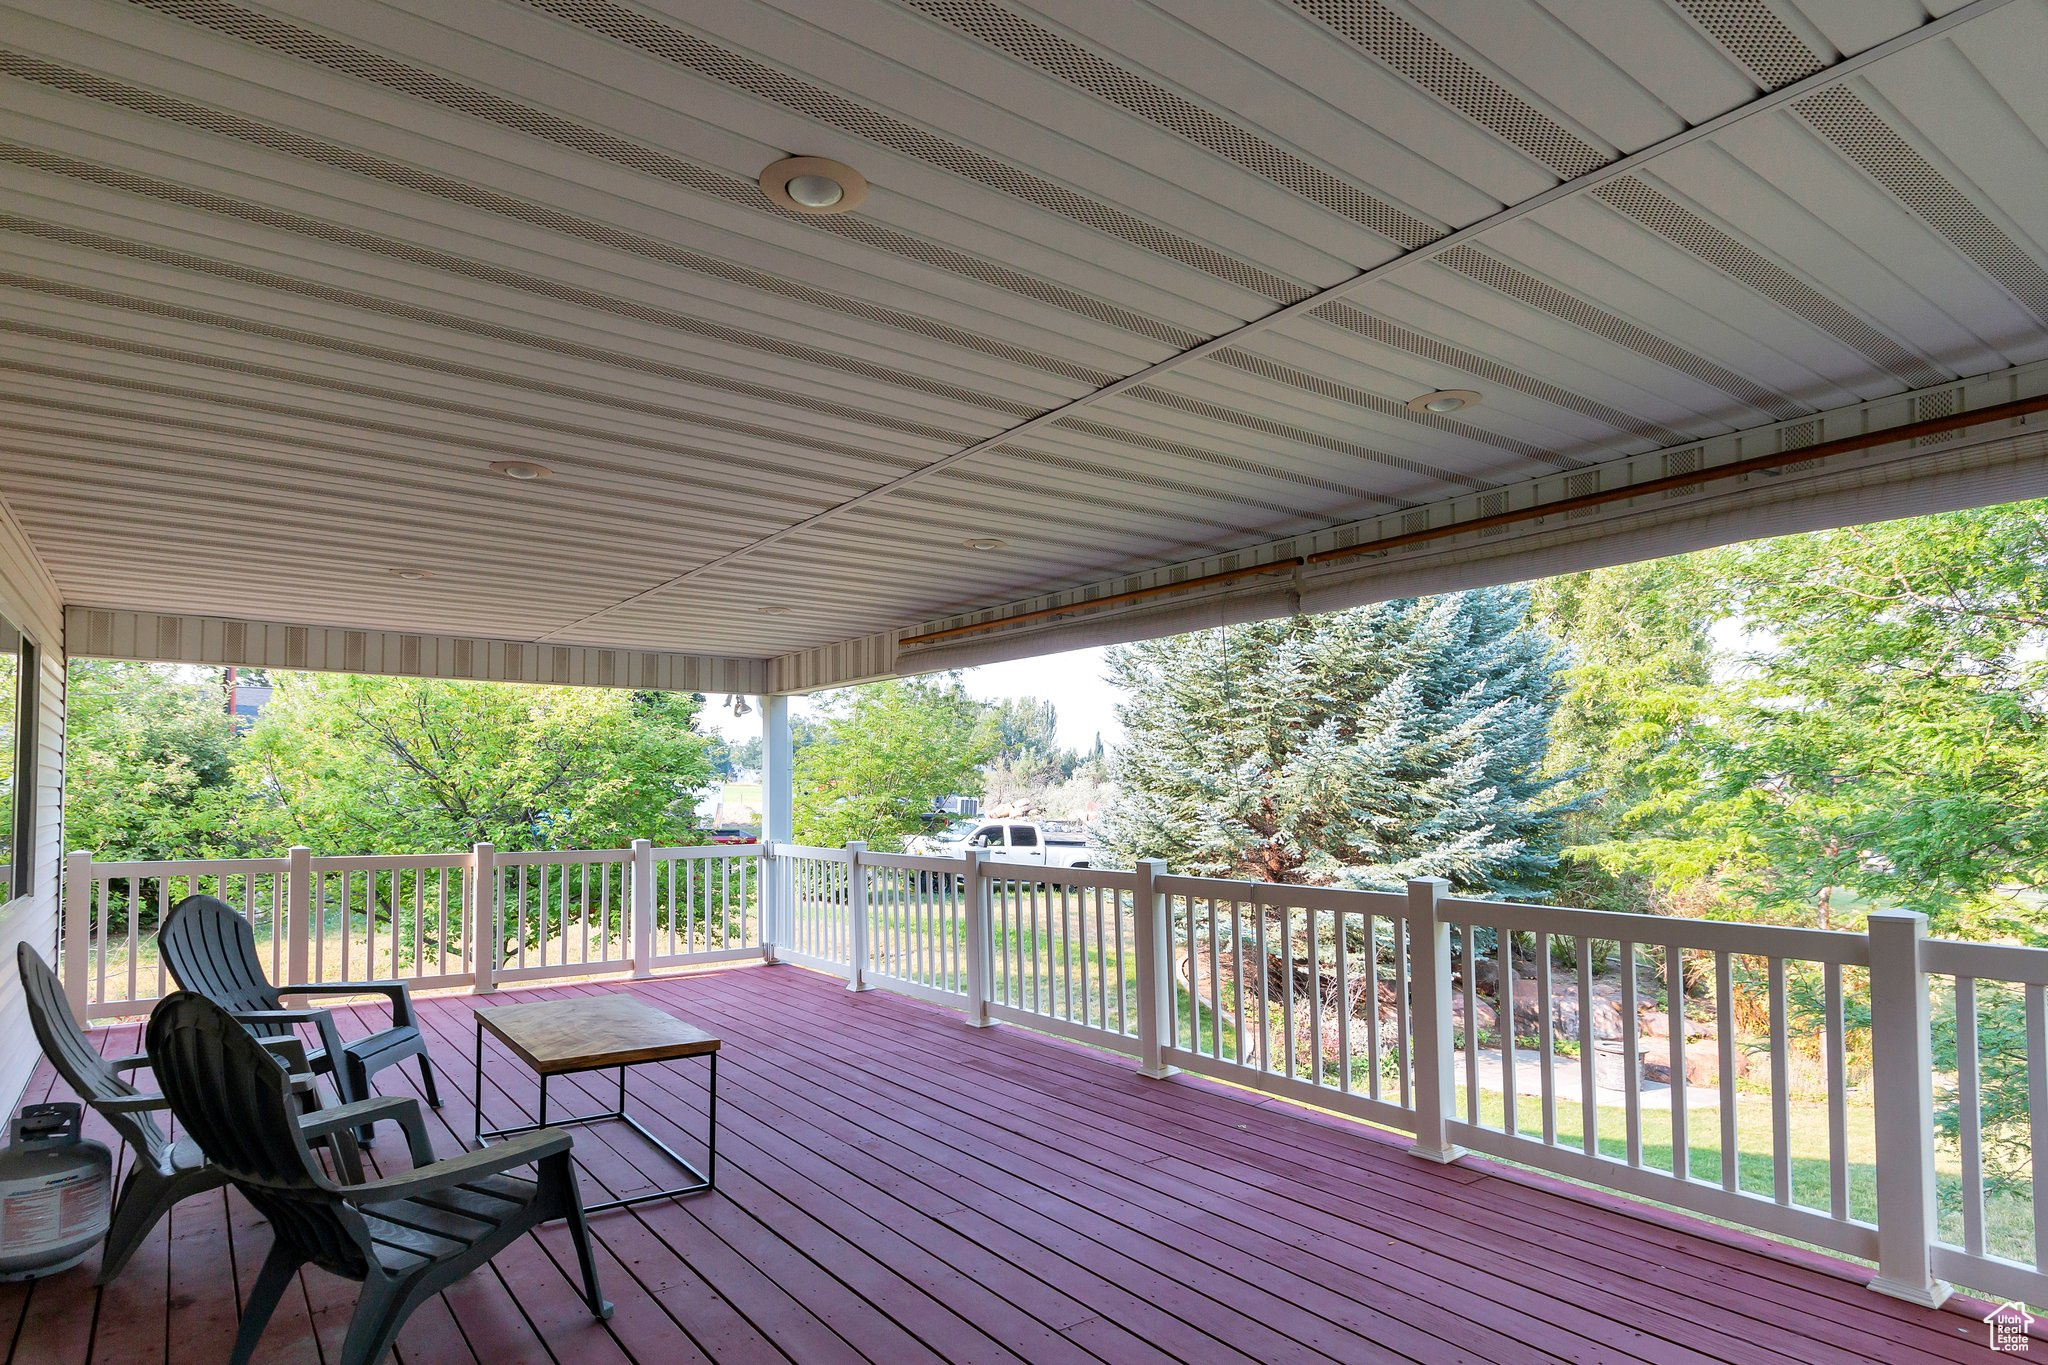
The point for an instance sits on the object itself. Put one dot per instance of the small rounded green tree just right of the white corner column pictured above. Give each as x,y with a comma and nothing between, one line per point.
880,756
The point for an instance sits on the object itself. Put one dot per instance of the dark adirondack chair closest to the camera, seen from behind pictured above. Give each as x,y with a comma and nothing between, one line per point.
404,1239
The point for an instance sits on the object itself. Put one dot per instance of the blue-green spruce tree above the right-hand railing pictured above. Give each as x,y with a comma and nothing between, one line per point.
1359,748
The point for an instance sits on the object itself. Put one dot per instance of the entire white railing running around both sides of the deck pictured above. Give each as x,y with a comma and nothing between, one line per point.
1695,1063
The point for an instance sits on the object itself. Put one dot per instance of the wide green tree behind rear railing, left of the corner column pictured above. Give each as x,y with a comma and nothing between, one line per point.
396,766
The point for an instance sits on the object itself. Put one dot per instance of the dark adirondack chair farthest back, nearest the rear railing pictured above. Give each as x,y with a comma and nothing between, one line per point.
212,951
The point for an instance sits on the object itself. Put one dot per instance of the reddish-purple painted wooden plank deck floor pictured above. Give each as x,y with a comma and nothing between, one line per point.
900,1188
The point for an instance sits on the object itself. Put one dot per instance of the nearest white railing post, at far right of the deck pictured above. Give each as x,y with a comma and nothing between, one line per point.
1902,1075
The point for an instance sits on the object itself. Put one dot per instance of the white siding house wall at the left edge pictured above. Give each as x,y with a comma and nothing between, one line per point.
32,601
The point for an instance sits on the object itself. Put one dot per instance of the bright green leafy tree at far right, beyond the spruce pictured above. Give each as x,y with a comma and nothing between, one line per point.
1887,736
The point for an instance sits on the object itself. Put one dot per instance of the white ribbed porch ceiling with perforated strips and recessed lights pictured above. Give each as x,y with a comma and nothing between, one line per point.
282,281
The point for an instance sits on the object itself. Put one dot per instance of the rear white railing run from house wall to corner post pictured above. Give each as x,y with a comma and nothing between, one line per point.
417,918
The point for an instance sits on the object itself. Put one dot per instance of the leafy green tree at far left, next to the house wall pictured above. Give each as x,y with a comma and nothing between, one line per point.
146,762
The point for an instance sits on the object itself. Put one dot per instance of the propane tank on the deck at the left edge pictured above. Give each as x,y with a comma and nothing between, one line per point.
54,1192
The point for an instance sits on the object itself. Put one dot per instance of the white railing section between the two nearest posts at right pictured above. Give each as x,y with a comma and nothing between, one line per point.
1682,975
